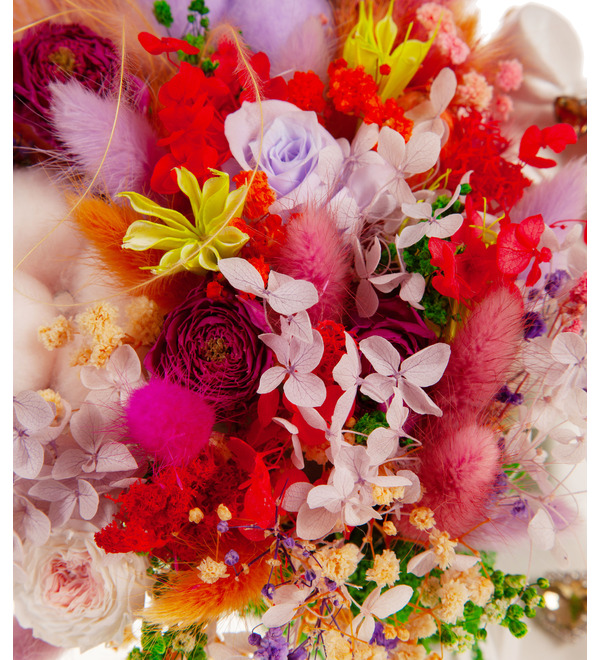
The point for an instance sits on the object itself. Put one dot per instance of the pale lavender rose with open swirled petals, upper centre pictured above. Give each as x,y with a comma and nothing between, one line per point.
292,144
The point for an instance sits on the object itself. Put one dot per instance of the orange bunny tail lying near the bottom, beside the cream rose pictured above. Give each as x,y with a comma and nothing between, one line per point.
186,600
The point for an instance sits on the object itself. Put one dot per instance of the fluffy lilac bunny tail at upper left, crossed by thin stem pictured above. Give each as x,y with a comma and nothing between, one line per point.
83,121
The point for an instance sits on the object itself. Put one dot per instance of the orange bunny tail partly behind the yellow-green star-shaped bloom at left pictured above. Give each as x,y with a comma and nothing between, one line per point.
104,224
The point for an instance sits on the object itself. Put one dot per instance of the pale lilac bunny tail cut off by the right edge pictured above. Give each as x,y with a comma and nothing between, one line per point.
563,197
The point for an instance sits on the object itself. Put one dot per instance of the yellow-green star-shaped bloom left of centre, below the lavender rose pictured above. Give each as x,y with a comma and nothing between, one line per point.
196,247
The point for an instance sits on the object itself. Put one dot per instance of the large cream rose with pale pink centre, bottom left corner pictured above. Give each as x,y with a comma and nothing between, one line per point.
75,594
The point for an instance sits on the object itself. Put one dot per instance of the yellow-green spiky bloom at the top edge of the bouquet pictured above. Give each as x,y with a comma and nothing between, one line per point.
370,46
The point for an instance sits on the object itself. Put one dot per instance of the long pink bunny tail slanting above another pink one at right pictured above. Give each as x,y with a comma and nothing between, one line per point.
483,352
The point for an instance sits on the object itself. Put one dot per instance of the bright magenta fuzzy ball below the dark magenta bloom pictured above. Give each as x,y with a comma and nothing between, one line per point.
169,422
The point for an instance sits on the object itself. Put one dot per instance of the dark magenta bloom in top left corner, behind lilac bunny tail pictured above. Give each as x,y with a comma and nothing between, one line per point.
54,52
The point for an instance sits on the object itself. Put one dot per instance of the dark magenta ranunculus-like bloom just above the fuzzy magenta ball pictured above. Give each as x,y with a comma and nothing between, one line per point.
211,346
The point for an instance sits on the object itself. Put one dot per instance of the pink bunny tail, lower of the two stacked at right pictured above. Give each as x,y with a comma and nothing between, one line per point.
458,470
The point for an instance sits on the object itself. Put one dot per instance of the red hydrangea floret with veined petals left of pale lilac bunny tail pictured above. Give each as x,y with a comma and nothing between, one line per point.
517,245
